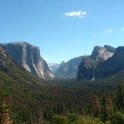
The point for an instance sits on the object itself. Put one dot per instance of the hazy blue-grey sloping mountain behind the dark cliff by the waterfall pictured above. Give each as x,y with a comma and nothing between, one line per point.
68,70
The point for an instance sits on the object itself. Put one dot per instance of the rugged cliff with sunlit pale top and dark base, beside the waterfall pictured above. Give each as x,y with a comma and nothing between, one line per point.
88,64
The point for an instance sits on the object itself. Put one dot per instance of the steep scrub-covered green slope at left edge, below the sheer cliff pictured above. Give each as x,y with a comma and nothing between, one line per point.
12,74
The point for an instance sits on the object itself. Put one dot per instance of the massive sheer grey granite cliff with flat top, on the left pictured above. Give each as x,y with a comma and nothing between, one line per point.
28,56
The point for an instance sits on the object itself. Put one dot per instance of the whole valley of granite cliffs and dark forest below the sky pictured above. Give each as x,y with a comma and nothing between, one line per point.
82,98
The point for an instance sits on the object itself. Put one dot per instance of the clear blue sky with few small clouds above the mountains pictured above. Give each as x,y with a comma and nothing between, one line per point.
63,29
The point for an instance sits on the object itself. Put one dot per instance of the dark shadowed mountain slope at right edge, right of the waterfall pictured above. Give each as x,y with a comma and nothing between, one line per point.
112,65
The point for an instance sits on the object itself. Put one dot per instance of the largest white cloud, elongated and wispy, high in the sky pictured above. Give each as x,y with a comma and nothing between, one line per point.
76,14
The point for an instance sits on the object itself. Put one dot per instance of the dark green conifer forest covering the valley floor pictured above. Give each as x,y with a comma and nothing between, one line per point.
67,102
